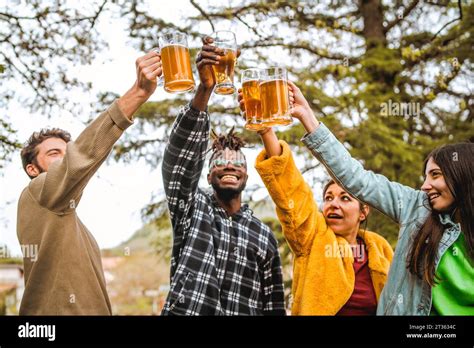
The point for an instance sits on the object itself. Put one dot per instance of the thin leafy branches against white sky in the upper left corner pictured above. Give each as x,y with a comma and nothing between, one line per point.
38,42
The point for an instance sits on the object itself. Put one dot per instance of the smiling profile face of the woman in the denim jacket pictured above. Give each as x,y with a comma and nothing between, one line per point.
440,197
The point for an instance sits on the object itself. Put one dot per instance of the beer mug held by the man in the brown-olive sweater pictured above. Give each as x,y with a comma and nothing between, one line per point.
177,73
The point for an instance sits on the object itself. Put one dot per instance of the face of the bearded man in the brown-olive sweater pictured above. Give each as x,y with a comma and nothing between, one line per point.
49,151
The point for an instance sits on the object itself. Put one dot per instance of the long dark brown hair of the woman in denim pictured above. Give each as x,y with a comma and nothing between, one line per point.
456,164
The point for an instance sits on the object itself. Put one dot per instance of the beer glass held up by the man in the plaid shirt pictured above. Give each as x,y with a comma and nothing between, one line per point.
224,71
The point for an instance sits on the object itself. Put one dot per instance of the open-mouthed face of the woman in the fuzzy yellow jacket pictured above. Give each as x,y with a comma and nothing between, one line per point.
343,212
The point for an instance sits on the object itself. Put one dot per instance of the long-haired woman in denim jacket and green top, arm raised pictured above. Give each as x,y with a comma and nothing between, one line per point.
432,272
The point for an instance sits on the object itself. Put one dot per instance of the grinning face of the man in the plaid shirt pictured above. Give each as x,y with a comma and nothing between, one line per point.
228,172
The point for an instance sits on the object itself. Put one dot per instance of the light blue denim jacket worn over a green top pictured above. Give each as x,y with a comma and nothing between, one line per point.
404,293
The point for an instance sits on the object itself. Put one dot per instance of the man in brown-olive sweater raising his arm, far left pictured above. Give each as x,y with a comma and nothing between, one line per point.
65,276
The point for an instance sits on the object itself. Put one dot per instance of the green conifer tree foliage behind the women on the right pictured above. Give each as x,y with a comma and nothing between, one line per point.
348,90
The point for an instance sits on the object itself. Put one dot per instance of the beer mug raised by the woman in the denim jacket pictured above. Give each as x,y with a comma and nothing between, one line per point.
275,97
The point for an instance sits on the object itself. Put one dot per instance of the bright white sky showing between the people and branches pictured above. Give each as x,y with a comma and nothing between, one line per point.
111,203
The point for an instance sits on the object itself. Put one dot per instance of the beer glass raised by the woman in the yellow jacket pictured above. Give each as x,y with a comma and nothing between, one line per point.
250,79
